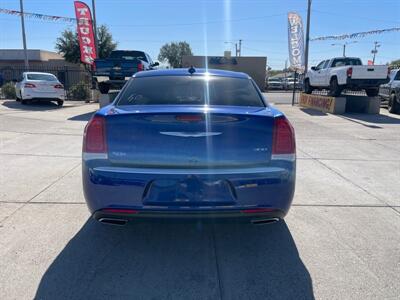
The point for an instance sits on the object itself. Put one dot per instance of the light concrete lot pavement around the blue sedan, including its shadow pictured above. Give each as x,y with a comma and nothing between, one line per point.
340,240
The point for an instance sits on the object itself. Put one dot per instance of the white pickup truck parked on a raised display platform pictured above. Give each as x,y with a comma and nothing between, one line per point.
348,73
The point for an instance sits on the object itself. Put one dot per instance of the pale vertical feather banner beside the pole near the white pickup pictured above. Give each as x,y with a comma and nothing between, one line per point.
296,42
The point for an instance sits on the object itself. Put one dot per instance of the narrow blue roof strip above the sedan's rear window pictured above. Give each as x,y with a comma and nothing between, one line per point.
198,72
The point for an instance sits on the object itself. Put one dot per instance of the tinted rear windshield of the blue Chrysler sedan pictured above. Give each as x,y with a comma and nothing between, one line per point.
190,90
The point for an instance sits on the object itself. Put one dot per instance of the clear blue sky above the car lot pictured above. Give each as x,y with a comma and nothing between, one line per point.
207,25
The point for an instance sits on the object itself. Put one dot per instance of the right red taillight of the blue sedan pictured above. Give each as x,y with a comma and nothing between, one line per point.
283,144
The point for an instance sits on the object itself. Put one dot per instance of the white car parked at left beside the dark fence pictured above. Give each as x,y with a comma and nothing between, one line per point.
39,86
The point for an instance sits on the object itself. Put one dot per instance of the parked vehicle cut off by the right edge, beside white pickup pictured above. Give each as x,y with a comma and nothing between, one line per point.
391,91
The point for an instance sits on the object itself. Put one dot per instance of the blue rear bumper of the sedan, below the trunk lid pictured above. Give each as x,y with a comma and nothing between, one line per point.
128,188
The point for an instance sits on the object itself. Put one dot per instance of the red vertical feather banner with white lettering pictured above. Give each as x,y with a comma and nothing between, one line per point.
85,32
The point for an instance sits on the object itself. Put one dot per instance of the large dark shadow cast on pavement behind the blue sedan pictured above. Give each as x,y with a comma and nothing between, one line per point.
178,261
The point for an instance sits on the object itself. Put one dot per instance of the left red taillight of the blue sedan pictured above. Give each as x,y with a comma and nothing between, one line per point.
94,139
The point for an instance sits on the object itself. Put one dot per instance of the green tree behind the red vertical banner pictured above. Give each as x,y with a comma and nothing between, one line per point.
68,44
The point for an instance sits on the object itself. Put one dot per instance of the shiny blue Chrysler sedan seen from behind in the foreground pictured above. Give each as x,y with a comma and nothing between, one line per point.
189,144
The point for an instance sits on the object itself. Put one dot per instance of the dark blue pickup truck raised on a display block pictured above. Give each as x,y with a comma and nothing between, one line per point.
114,71
